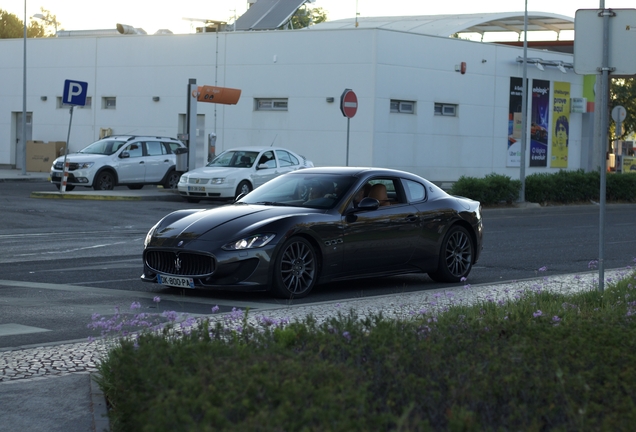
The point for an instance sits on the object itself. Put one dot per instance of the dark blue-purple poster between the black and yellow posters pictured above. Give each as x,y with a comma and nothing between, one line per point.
539,123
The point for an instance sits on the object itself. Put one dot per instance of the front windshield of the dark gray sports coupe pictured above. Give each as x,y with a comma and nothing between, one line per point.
319,191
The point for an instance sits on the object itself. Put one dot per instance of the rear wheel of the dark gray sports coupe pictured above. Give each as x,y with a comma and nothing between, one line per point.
455,257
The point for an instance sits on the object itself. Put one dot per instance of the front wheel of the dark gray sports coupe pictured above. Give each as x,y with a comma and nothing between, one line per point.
295,269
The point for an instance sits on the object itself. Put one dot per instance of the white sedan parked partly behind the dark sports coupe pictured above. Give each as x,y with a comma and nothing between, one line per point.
238,171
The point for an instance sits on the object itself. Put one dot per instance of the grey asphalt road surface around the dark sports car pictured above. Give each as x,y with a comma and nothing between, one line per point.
61,261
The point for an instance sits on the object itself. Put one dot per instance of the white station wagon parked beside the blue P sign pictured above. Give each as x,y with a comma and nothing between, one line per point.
124,160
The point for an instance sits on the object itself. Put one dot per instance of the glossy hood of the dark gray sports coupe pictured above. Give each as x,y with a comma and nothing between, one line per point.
222,224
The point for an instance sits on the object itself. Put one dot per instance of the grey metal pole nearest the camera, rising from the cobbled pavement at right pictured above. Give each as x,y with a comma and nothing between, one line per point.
604,128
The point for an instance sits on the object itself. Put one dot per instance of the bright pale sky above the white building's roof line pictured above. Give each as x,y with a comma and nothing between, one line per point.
152,15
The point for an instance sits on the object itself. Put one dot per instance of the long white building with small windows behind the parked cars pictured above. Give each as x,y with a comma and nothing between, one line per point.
406,73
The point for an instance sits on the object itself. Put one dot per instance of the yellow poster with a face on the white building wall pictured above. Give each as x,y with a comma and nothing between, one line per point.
560,125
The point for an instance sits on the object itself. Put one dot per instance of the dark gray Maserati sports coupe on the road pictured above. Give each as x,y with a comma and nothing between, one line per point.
314,226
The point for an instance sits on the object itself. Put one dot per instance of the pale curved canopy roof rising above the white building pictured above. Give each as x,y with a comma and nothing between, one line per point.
448,25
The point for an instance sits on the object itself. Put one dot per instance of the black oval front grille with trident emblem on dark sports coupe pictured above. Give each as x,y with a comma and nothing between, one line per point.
180,263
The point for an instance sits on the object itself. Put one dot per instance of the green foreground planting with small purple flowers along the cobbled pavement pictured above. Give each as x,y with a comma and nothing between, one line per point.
543,361
